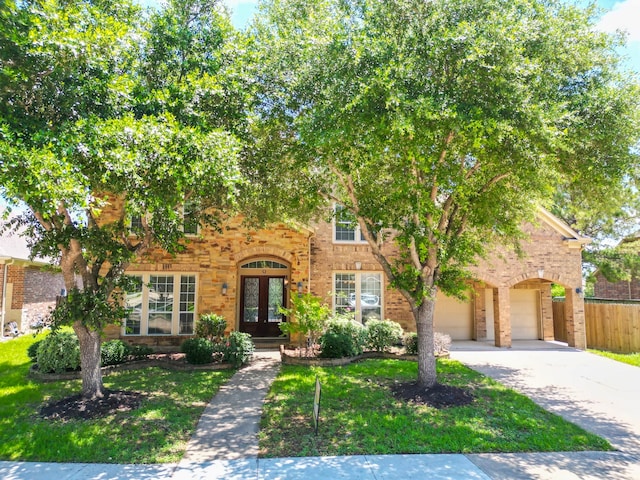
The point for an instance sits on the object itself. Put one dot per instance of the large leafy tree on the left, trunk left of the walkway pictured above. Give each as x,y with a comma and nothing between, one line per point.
102,106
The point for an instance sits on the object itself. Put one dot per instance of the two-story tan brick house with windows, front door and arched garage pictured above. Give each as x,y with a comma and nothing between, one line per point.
245,275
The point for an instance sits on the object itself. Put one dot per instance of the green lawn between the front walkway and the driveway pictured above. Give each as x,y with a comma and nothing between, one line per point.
359,415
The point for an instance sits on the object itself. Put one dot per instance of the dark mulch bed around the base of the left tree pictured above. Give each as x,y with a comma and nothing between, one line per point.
77,407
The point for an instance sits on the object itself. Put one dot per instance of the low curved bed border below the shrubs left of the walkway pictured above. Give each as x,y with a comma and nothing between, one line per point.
165,362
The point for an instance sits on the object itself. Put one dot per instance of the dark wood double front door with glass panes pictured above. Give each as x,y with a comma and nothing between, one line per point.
260,300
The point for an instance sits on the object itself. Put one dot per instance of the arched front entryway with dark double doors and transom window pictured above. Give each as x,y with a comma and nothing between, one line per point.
263,290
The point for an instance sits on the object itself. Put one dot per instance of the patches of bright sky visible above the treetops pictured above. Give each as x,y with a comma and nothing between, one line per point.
621,15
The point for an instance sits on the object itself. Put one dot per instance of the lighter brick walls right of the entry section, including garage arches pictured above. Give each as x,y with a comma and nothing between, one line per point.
552,254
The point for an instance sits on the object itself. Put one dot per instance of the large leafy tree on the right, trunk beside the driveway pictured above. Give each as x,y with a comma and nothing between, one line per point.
443,124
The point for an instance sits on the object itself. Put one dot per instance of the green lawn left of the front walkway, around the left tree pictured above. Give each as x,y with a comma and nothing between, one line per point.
156,432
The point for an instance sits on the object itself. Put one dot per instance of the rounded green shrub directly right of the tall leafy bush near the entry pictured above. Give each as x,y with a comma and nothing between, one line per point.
343,337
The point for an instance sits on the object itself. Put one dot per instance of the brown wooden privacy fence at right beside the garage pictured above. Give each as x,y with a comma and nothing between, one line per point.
610,326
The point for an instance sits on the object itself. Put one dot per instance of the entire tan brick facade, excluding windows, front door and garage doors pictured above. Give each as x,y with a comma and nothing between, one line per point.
552,254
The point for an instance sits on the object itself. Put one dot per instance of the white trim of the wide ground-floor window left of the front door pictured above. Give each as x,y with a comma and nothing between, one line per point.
175,313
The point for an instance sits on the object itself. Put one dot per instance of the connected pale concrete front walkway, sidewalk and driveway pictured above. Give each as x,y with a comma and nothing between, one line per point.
597,393
